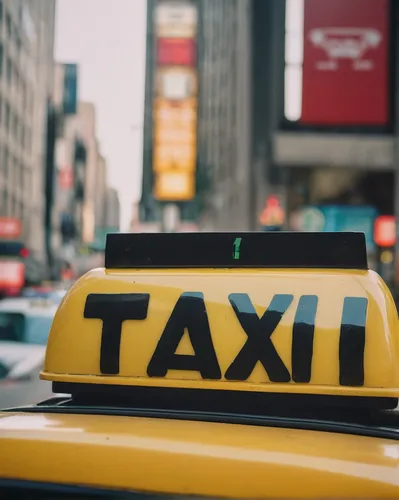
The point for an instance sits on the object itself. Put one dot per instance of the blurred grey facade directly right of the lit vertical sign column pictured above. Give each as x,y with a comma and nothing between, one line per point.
224,129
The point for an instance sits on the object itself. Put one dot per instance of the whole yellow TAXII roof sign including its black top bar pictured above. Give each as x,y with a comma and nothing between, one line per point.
288,329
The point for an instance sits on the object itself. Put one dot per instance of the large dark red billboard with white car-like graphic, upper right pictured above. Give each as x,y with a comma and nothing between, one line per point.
345,66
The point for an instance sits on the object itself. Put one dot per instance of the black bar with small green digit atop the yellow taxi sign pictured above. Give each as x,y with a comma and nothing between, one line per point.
237,250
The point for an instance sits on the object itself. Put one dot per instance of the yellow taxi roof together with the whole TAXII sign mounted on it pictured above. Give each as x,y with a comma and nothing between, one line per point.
200,359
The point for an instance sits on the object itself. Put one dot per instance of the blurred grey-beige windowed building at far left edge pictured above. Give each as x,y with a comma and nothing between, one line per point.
26,83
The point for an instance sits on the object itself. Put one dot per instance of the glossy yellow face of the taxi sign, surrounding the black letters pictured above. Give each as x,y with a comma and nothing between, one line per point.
73,350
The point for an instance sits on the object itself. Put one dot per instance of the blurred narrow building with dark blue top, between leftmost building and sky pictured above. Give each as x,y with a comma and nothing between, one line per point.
66,169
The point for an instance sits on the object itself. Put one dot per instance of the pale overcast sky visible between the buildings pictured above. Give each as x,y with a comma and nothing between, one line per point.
107,39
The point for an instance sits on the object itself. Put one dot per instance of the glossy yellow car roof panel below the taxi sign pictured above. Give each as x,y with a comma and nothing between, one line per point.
171,456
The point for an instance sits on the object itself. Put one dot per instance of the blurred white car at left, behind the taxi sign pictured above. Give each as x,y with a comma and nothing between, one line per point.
24,328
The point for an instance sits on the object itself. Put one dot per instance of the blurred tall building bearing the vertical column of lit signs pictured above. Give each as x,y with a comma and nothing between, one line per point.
209,55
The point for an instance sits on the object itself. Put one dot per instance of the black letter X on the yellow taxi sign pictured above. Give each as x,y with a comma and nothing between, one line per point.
258,346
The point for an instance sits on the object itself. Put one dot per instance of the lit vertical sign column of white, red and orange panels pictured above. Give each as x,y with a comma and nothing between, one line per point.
175,101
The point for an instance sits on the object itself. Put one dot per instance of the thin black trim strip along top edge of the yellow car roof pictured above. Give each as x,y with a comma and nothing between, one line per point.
276,422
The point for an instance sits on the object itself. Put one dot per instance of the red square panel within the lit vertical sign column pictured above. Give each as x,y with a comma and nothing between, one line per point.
176,52
